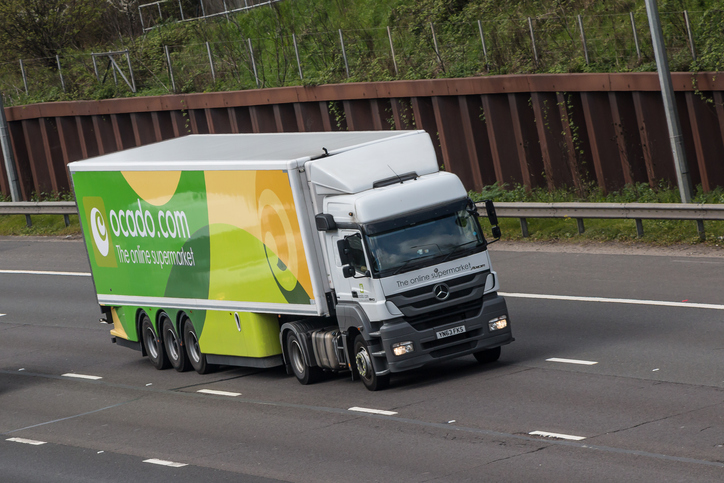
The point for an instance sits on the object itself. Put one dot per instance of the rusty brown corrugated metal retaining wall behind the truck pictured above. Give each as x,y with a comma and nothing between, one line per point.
536,130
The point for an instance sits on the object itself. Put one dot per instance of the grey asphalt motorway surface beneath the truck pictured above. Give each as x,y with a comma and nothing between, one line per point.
651,408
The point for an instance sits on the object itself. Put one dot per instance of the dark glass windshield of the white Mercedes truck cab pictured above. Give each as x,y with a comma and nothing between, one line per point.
425,241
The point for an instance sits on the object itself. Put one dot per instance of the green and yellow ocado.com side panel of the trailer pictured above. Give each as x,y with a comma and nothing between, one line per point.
222,247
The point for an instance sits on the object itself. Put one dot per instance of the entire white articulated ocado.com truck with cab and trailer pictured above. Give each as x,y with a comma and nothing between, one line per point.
337,251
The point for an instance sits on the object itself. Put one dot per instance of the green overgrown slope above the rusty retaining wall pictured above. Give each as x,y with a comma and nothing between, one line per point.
72,29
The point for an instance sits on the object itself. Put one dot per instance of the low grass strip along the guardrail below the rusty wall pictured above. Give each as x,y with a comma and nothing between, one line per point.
656,232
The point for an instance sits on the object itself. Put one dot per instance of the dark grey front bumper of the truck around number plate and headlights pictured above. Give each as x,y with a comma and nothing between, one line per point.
429,349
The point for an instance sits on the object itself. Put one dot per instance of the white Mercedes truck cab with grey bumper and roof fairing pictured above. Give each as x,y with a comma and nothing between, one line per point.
409,274
